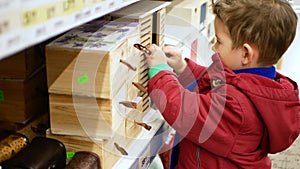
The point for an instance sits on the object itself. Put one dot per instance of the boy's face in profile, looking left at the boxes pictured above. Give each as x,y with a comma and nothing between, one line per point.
223,46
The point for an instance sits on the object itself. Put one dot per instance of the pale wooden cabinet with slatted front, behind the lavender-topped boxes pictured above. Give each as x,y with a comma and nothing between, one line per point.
150,16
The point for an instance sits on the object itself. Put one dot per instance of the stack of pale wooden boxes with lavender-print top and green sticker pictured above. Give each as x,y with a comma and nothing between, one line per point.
90,72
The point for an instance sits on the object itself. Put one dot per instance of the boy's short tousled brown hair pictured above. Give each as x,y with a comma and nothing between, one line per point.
270,25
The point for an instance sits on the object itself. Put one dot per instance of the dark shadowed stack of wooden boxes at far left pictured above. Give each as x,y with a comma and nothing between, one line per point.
23,88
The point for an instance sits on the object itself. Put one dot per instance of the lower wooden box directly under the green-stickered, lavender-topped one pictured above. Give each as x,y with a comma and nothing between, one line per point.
94,117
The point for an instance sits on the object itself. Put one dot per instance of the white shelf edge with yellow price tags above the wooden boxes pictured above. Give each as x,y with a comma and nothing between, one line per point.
29,22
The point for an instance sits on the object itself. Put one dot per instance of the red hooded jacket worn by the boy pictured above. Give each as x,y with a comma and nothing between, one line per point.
231,120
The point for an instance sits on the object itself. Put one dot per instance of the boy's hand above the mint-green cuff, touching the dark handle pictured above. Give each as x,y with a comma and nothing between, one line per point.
157,56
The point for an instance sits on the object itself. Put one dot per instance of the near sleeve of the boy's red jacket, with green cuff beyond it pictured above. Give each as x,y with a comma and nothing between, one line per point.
196,116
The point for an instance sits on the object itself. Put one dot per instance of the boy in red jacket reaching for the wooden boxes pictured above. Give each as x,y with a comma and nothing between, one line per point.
240,109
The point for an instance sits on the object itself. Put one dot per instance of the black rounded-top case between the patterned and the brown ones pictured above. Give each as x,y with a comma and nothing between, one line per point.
41,153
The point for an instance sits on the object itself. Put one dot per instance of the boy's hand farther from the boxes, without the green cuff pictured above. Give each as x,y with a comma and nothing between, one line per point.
175,59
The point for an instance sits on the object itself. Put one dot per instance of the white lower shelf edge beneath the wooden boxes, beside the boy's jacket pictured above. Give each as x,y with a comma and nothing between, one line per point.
147,144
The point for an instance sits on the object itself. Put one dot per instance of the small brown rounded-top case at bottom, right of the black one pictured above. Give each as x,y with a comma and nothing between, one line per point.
84,160
